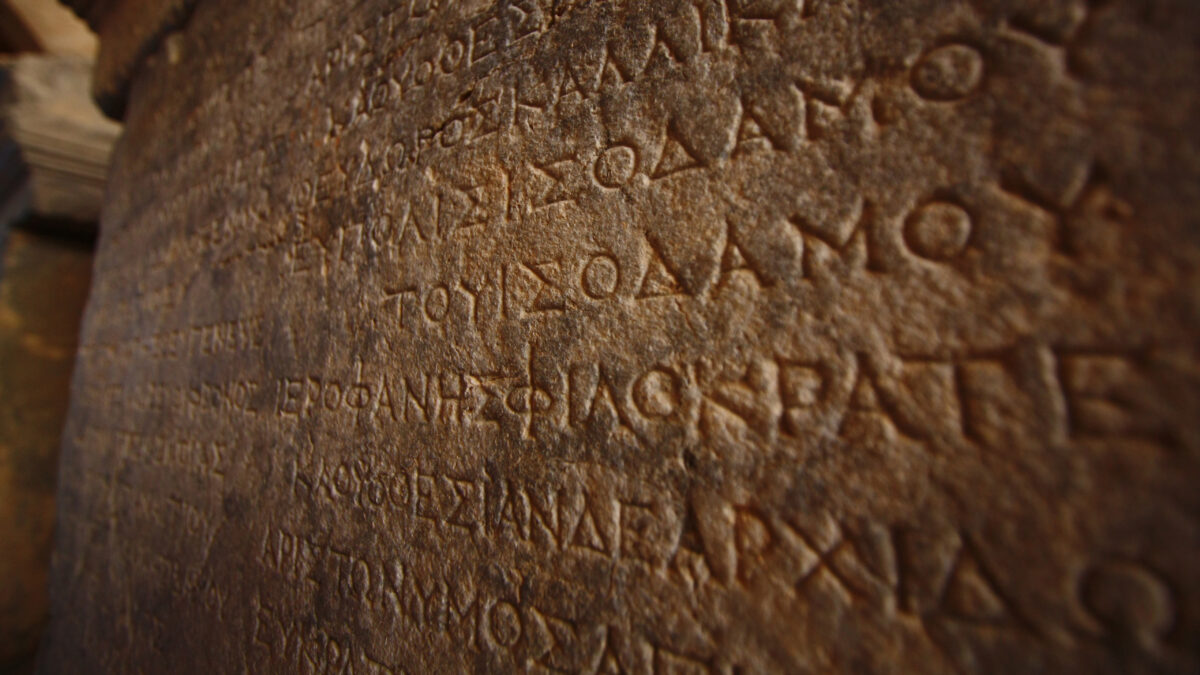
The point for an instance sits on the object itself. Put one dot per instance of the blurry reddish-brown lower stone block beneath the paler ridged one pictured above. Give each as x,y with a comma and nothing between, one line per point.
44,284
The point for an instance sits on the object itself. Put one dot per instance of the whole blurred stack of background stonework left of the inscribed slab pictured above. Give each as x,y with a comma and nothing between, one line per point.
55,152
